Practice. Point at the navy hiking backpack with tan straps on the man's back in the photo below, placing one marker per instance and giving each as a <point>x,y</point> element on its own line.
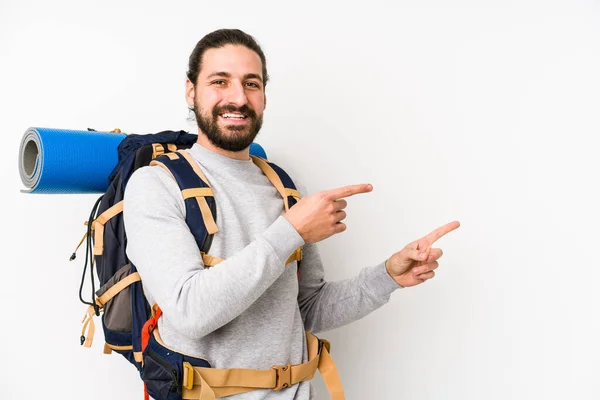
<point>128,320</point>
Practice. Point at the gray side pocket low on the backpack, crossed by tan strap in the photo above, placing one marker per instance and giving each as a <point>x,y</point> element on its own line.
<point>117,311</point>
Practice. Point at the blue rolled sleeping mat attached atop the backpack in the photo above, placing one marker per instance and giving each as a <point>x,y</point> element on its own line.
<point>58,161</point>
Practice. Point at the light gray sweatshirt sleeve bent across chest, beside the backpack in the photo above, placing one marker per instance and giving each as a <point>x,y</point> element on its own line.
<point>195,300</point>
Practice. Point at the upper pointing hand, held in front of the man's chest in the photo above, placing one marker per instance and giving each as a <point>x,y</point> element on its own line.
<point>319,215</point>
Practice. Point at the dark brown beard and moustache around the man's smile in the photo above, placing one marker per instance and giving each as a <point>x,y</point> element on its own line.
<point>230,137</point>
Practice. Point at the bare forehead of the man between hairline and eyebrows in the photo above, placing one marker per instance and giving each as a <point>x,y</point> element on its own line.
<point>234,59</point>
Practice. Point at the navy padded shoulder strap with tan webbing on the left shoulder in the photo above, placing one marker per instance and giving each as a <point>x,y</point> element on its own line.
<point>201,211</point>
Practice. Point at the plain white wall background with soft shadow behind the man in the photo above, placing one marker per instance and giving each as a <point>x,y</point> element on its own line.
<point>486,112</point>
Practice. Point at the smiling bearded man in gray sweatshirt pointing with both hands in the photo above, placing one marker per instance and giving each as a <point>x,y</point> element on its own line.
<point>251,310</point>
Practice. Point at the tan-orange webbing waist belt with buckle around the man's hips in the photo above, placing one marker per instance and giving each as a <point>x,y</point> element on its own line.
<point>208,383</point>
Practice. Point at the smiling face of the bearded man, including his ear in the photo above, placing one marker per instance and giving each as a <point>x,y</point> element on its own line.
<point>229,97</point>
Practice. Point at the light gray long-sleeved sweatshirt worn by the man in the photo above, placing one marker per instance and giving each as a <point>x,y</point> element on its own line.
<point>251,310</point>
